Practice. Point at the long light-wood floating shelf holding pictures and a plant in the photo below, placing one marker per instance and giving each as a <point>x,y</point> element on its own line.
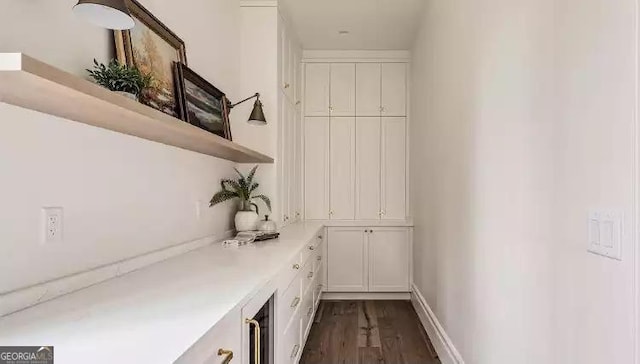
<point>29,83</point>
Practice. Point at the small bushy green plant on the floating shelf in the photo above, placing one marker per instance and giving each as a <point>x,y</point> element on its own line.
<point>125,80</point>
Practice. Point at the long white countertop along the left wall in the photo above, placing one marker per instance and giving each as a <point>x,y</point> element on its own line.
<point>155,314</point>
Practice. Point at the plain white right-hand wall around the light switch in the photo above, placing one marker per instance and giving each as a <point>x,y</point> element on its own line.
<point>528,121</point>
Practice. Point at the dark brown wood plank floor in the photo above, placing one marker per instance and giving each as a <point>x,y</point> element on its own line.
<point>368,332</point>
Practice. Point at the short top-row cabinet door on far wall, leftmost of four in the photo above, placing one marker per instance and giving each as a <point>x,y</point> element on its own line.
<point>316,91</point>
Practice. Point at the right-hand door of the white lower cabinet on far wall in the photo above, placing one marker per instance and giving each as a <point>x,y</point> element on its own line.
<point>389,255</point>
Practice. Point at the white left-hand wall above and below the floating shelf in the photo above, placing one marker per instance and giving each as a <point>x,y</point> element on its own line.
<point>122,196</point>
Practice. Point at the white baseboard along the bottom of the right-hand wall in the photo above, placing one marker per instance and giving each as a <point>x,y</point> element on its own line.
<point>441,342</point>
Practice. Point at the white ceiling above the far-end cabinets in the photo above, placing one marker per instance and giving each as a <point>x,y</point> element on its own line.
<point>372,24</point>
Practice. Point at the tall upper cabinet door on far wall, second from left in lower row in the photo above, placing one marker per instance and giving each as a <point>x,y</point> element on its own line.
<point>342,168</point>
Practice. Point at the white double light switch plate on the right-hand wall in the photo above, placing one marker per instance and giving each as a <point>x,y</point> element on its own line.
<point>605,233</point>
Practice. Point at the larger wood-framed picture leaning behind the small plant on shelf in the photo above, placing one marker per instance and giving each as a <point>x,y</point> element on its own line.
<point>152,48</point>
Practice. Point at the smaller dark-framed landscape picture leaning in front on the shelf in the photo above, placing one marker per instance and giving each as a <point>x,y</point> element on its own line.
<point>200,103</point>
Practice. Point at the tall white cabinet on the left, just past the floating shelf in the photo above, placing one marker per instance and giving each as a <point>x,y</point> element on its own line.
<point>277,75</point>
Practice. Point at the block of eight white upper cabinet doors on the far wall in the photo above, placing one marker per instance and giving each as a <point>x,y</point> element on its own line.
<point>355,141</point>
